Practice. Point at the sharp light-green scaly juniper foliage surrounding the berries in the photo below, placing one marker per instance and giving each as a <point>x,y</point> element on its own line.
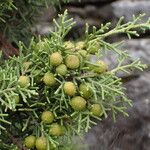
<point>24,118</point>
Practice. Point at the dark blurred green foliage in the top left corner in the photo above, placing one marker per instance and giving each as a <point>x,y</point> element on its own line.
<point>18,16</point>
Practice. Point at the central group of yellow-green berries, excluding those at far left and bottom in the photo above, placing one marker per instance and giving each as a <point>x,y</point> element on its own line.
<point>72,61</point>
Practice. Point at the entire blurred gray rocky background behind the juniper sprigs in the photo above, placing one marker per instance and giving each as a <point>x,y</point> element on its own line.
<point>132,133</point>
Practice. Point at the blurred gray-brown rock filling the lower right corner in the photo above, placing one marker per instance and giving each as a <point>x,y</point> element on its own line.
<point>132,133</point>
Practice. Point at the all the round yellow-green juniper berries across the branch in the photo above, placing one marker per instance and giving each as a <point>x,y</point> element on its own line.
<point>68,65</point>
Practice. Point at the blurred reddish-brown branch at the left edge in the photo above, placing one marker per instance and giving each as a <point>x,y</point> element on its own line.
<point>7,48</point>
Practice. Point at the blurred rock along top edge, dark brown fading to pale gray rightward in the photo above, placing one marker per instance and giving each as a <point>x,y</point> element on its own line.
<point>95,14</point>
